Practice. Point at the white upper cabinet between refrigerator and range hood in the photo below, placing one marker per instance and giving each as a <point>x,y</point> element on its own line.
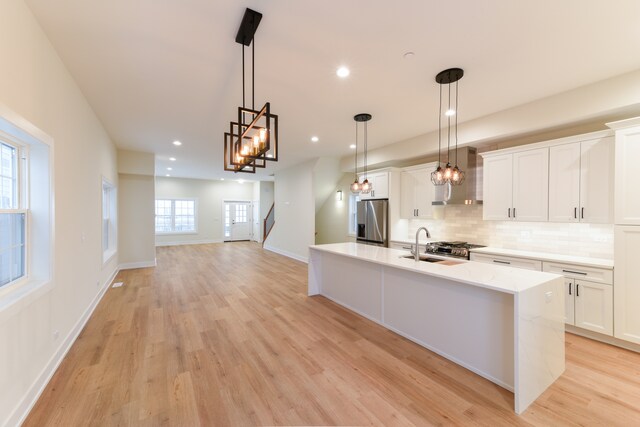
<point>417,192</point>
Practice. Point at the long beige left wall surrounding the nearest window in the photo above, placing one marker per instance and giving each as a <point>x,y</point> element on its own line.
<point>38,327</point>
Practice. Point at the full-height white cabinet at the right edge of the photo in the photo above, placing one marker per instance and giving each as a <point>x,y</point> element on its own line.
<point>627,230</point>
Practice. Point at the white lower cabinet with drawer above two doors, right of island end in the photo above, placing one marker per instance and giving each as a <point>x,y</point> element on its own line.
<point>588,304</point>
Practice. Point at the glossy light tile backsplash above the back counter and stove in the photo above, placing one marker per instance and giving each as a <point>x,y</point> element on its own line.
<point>465,223</point>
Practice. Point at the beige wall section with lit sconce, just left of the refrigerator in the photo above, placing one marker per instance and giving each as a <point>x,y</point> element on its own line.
<point>332,219</point>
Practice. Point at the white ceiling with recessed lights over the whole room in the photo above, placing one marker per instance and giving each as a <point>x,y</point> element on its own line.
<point>159,70</point>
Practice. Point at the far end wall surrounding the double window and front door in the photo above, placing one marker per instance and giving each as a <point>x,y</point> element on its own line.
<point>209,197</point>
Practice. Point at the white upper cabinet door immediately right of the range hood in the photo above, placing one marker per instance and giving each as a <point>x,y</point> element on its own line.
<point>498,187</point>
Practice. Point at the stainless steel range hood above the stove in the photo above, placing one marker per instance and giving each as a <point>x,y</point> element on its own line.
<point>466,193</point>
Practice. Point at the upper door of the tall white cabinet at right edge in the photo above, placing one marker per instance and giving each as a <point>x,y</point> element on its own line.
<point>627,188</point>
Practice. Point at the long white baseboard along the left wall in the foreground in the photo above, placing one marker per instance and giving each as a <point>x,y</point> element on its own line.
<point>29,400</point>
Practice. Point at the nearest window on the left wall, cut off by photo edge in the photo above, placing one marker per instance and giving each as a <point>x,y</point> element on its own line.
<point>13,215</point>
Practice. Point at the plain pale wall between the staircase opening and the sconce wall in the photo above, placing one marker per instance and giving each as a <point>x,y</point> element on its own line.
<point>294,227</point>
